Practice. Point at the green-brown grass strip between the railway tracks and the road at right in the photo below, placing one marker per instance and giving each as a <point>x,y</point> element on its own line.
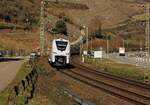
<point>124,70</point>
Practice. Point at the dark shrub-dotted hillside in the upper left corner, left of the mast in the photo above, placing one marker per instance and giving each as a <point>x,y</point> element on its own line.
<point>17,11</point>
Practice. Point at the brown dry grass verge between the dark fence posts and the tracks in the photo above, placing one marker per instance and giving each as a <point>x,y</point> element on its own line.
<point>48,90</point>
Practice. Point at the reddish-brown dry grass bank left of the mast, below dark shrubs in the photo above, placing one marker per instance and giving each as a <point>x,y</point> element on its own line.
<point>19,40</point>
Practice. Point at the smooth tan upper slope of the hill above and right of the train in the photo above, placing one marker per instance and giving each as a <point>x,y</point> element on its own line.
<point>111,12</point>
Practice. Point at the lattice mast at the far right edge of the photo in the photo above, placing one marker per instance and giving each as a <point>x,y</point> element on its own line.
<point>147,38</point>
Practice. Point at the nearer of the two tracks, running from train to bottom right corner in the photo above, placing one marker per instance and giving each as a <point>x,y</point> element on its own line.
<point>105,87</point>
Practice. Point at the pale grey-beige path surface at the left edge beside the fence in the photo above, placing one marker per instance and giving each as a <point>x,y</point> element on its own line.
<point>8,71</point>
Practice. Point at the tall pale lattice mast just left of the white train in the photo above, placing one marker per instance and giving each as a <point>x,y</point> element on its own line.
<point>42,34</point>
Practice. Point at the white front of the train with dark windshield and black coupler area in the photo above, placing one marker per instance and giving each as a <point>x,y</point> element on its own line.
<point>60,54</point>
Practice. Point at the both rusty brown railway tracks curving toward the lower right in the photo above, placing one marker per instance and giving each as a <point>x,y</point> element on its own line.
<point>129,90</point>
